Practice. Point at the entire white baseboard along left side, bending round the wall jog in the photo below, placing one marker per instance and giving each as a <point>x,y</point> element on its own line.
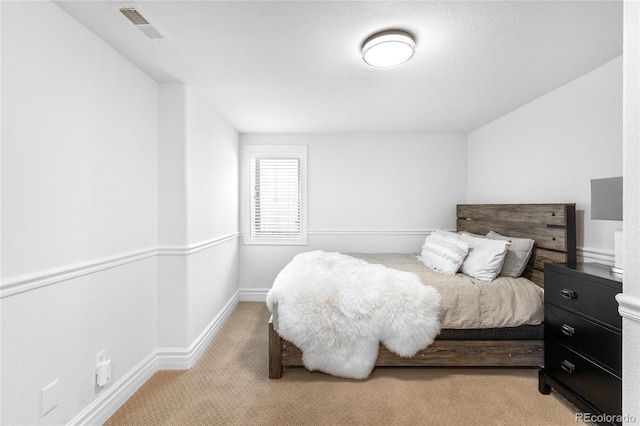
<point>114,396</point>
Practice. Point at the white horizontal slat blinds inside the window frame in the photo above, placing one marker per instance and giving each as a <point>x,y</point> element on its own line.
<point>275,198</point>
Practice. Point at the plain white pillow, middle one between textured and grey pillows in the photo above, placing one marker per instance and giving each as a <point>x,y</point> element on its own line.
<point>485,258</point>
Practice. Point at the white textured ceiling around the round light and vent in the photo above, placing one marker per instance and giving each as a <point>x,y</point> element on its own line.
<point>295,66</point>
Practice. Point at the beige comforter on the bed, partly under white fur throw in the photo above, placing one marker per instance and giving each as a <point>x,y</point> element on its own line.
<point>470,303</point>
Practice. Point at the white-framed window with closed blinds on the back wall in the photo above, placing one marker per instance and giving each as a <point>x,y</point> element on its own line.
<point>274,194</point>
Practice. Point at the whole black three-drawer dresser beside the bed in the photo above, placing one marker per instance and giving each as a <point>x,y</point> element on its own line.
<point>583,338</point>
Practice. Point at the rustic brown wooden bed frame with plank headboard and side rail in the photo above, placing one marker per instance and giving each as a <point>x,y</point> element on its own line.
<point>552,226</point>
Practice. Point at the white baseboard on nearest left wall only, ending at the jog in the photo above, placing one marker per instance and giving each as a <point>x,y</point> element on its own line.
<point>117,394</point>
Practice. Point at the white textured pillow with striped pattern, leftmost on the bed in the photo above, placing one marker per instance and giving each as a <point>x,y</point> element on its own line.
<point>443,253</point>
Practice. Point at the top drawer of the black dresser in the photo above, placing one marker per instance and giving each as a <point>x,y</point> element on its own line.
<point>589,298</point>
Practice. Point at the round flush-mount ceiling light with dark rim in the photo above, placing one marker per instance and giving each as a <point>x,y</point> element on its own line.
<point>388,49</point>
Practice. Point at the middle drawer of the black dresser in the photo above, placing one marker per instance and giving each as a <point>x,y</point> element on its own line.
<point>586,336</point>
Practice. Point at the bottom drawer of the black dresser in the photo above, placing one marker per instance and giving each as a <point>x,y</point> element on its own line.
<point>591,382</point>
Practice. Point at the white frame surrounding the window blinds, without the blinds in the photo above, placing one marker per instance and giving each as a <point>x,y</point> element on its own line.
<point>250,152</point>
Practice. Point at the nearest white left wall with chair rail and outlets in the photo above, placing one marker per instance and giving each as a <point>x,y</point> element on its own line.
<point>79,212</point>
